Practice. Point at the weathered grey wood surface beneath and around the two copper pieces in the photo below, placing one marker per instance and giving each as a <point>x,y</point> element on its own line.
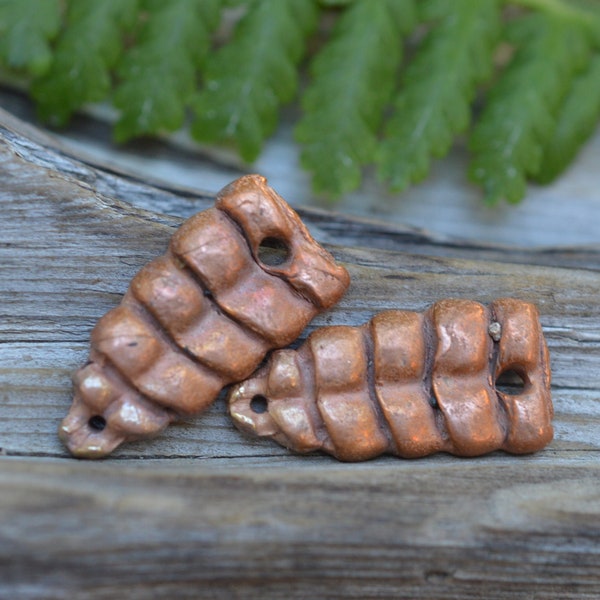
<point>203,512</point>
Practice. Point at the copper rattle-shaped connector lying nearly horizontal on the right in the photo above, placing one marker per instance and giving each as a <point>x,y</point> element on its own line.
<point>408,384</point>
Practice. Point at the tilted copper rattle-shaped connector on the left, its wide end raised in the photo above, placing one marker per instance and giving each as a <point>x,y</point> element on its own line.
<point>199,317</point>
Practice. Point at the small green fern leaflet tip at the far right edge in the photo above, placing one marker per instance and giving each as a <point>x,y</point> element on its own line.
<point>576,121</point>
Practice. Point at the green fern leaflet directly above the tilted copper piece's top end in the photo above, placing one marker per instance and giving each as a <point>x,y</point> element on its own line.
<point>248,79</point>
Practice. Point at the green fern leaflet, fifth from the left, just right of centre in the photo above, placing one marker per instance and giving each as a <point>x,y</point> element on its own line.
<point>353,77</point>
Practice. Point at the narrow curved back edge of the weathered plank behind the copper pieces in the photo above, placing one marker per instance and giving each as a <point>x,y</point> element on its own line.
<point>328,227</point>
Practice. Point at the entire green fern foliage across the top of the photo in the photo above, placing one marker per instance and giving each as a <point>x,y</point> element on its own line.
<point>387,83</point>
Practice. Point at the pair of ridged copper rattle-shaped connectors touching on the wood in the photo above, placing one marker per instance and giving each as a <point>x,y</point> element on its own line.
<point>205,314</point>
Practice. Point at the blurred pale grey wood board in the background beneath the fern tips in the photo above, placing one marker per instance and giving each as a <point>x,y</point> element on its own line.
<point>564,213</point>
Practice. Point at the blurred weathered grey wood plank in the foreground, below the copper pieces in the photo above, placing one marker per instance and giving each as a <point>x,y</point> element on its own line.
<point>447,530</point>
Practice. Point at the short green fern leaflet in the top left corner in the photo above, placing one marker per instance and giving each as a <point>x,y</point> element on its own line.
<point>26,28</point>
